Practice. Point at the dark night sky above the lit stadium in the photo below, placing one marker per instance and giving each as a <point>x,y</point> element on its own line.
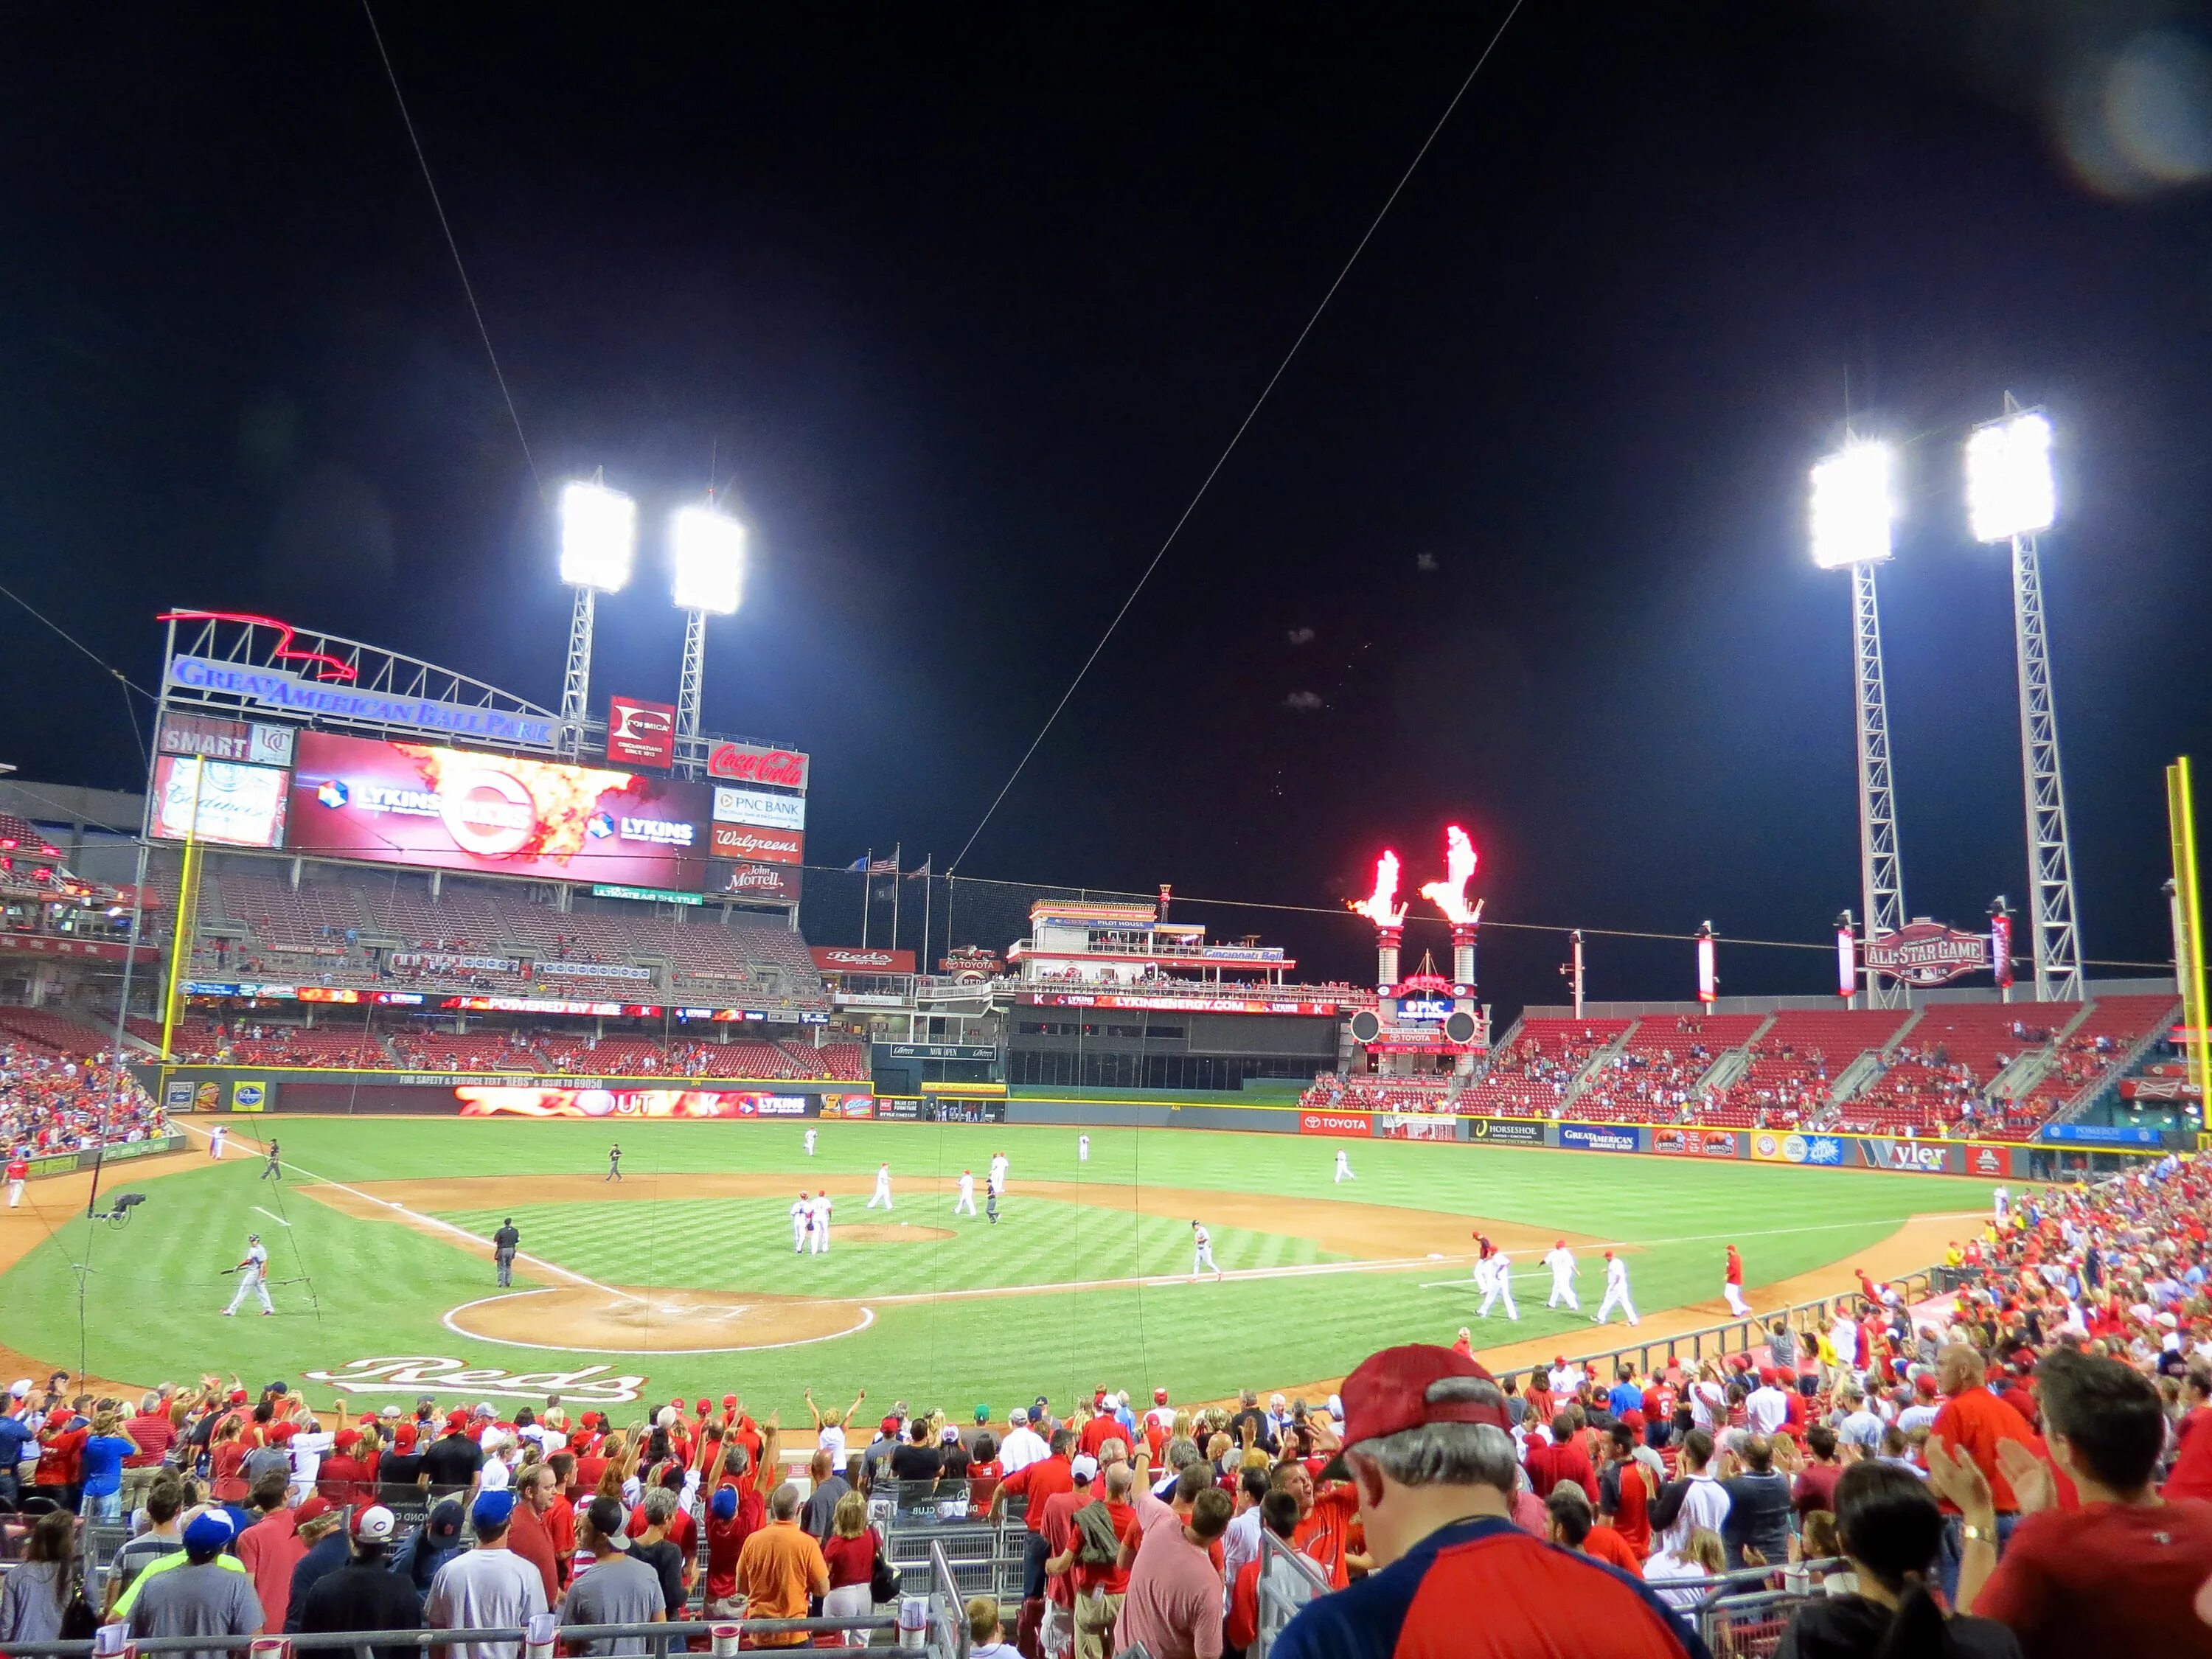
<point>970,300</point>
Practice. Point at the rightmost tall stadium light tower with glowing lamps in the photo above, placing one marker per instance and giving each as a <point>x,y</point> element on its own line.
<point>2010,499</point>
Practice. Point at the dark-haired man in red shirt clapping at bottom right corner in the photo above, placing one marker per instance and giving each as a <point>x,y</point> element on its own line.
<point>2116,1576</point>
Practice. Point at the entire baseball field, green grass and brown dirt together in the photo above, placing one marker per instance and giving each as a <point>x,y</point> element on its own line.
<point>682,1277</point>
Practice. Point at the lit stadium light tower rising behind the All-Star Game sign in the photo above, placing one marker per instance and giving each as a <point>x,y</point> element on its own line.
<point>1853,510</point>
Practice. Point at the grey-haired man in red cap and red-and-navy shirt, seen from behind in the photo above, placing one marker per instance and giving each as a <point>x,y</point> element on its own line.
<point>1432,1457</point>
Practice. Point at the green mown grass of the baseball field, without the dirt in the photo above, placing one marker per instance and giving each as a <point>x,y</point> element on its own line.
<point>377,1288</point>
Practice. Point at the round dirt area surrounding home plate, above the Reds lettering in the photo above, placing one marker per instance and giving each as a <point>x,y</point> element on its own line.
<point>634,1319</point>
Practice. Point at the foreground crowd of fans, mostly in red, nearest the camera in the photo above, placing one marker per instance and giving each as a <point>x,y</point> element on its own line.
<point>2021,1470</point>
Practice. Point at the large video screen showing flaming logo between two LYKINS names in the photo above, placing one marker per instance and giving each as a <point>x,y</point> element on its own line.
<point>497,815</point>
